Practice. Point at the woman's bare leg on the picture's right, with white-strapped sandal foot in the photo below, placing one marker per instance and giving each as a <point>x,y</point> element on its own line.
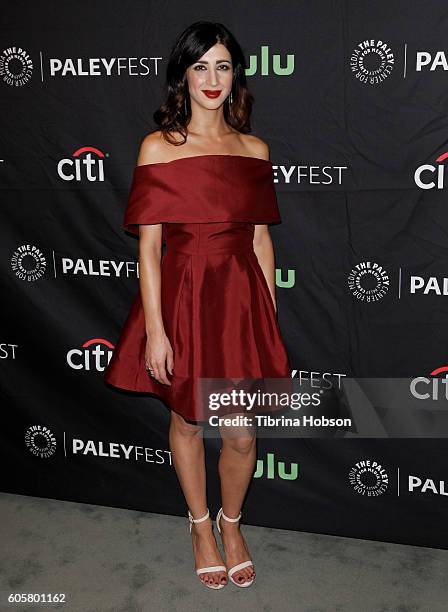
<point>236,466</point>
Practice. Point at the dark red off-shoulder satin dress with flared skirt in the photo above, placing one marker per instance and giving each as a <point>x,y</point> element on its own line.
<point>217,310</point>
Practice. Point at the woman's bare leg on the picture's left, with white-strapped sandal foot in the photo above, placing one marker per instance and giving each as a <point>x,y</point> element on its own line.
<point>187,450</point>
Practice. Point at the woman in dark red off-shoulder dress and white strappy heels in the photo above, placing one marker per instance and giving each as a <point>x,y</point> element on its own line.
<point>204,186</point>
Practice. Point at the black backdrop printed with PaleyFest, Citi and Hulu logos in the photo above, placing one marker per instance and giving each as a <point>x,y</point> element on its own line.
<point>352,99</point>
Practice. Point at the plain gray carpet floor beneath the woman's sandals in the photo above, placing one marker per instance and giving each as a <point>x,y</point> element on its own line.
<point>113,560</point>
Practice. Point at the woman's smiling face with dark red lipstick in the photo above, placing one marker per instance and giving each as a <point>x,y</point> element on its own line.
<point>213,72</point>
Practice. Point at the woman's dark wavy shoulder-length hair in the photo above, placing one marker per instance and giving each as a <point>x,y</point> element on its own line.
<point>191,45</point>
